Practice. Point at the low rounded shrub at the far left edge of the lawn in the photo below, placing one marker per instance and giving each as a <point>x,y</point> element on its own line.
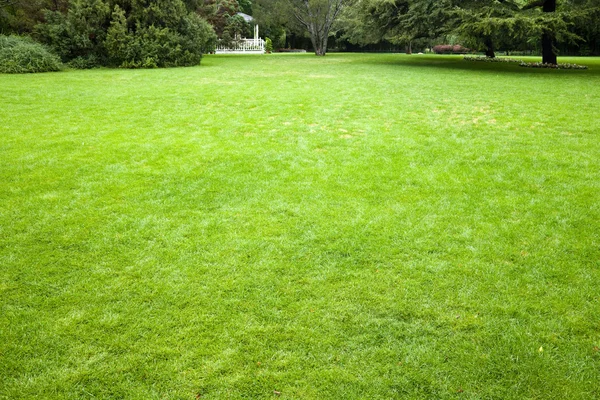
<point>19,55</point>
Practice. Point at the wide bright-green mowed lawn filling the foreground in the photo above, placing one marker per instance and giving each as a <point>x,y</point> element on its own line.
<point>294,227</point>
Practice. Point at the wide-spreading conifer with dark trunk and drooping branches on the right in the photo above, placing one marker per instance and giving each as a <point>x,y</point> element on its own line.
<point>482,23</point>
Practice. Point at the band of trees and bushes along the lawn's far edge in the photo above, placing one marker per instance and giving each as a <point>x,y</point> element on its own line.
<point>157,33</point>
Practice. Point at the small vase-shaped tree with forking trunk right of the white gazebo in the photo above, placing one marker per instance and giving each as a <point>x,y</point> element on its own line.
<point>317,17</point>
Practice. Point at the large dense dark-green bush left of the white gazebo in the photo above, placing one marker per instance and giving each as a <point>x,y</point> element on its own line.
<point>136,34</point>
